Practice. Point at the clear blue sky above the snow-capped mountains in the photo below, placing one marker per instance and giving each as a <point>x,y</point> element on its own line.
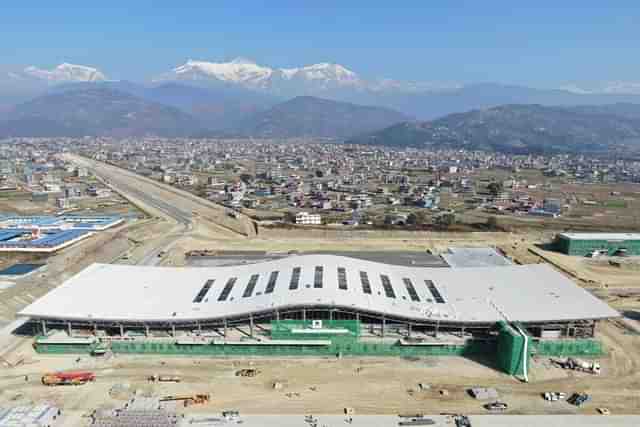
<point>546,45</point>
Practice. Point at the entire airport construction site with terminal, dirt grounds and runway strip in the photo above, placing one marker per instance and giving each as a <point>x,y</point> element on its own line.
<point>137,326</point>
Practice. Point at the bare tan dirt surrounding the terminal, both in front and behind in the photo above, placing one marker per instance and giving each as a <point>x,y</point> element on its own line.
<point>320,385</point>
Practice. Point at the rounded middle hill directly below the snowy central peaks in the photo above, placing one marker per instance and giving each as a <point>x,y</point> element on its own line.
<point>317,117</point>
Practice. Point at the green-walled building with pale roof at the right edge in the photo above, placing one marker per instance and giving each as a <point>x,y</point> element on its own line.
<point>588,244</point>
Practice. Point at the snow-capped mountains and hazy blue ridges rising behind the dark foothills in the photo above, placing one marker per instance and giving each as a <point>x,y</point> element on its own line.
<point>245,85</point>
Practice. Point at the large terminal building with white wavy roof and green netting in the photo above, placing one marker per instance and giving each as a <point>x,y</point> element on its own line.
<point>318,305</point>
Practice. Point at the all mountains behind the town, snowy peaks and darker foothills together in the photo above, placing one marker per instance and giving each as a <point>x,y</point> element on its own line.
<point>328,100</point>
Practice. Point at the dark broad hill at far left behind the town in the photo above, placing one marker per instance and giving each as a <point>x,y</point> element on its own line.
<point>95,111</point>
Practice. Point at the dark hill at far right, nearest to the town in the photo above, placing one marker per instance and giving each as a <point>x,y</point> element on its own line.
<point>519,129</point>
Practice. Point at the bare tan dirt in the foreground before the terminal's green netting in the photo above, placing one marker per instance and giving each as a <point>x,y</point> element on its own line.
<point>313,385</point>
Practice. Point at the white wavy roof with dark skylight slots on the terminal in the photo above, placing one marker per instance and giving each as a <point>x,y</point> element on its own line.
<point>527,293</point>
